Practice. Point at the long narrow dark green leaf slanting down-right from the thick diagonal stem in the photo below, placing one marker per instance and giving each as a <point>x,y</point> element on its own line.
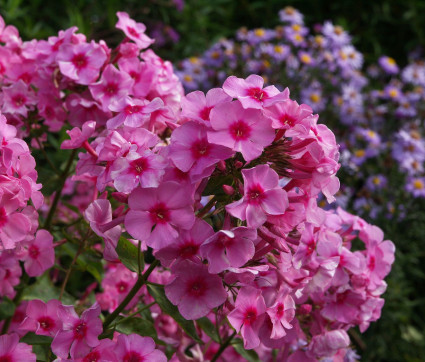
<point>167,307</point>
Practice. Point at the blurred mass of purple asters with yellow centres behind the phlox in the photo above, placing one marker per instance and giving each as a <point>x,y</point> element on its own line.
<point>376,112</point>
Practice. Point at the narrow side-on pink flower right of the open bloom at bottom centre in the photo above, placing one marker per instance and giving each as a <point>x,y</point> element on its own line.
<point>281,313</point>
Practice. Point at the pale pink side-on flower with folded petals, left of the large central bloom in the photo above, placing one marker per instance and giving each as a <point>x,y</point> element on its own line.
<point>99,213</point>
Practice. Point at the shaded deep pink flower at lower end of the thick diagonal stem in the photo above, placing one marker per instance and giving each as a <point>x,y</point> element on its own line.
<point>78,334</point>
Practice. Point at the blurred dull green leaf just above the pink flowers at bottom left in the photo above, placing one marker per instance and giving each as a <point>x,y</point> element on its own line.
<point>44,290</point>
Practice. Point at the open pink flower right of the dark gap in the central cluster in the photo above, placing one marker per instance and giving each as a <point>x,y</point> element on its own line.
<point>262,196</point>
